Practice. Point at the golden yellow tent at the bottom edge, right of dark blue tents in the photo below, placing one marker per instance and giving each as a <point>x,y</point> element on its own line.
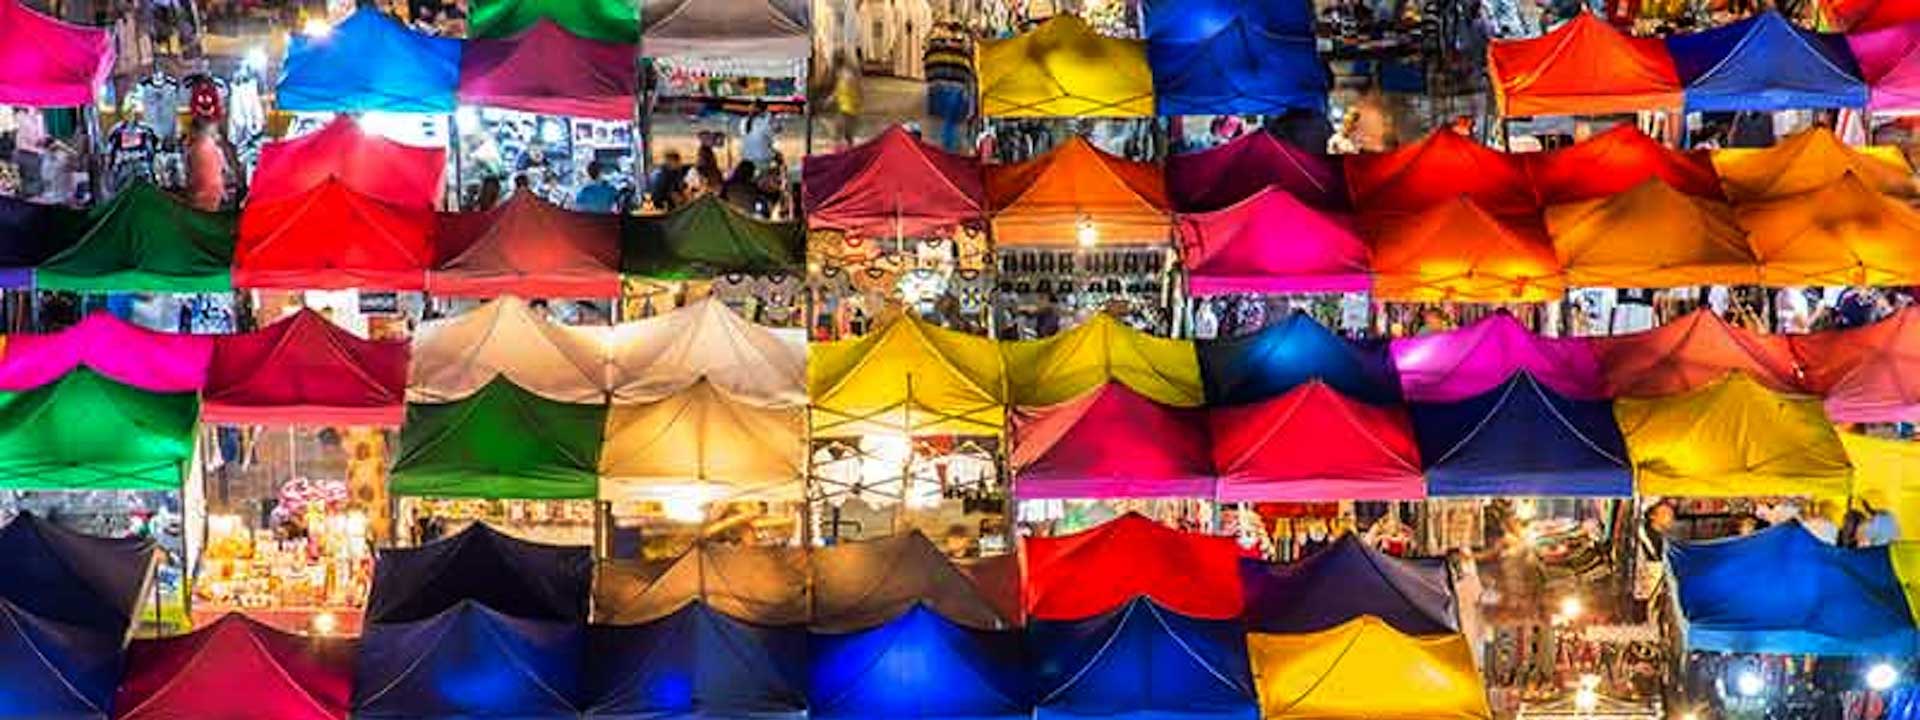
<point>1366,671</point>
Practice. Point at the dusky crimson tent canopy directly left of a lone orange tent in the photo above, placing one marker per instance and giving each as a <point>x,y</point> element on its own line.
<point>892,187</point>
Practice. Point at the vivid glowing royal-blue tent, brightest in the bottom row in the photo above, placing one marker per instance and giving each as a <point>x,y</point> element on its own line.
<point>919,667</point>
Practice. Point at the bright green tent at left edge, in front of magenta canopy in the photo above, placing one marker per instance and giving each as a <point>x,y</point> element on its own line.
<point>91,433</point>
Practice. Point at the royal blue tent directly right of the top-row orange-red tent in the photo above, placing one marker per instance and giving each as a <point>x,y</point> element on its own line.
<point>1767,64</point>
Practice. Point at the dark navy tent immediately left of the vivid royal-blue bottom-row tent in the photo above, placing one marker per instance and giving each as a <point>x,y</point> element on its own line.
<point>698,665</point>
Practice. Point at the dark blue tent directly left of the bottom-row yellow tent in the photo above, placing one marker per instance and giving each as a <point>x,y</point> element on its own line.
<point>1141,661</point>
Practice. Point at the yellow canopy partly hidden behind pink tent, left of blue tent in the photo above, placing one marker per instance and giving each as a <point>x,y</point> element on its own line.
<point>1076,362</point>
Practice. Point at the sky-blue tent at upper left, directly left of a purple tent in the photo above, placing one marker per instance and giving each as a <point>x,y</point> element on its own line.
<point>370,62</point>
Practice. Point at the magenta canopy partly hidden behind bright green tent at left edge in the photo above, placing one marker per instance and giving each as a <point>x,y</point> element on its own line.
<point>120,350</point>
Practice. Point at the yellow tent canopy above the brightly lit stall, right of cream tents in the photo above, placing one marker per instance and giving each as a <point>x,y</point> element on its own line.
<point>907,377</point>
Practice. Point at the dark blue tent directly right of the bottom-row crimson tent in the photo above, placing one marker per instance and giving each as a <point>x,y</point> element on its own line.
<point>469,661</point>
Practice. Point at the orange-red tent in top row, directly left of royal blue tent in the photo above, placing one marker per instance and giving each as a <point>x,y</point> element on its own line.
<point>1583,68</point>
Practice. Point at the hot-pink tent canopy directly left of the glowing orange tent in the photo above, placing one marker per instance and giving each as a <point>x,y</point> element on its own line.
<point>1243,249</point>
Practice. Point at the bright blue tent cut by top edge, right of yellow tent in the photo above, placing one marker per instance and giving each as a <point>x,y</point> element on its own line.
<point>1234,57</point>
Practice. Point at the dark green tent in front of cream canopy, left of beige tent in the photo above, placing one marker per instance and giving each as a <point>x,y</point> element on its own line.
<point>500,443</point>
